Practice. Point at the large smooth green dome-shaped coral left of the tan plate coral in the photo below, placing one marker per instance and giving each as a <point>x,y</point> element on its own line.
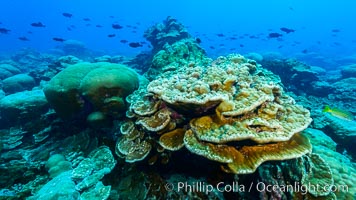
<point>90,87</point>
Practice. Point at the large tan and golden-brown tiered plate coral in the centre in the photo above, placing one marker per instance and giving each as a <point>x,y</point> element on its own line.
<point>210,108</point>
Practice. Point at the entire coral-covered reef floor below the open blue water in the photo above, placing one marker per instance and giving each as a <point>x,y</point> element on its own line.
<point>174,124</point>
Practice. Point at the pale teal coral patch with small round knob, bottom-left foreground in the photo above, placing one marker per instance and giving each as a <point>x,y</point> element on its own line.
<point>83,180</point>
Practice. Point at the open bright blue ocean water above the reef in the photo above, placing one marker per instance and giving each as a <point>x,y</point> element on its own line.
<point>322,28</point>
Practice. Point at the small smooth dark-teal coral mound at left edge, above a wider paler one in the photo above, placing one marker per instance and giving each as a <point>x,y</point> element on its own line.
<point>18,83</point>
